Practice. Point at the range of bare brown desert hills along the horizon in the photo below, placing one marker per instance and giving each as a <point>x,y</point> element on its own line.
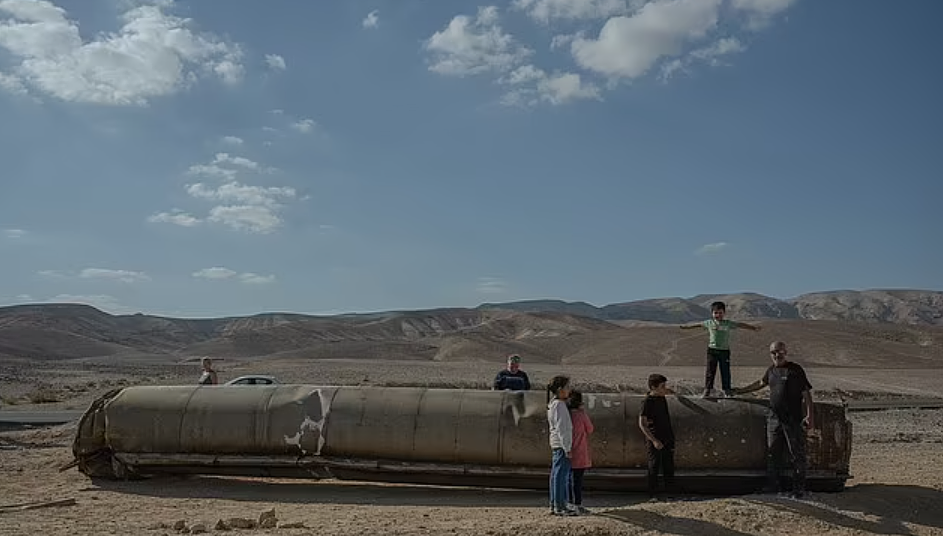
<point>888,328</point>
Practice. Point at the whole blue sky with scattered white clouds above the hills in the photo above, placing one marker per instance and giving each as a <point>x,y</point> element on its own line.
<point>199,159</point>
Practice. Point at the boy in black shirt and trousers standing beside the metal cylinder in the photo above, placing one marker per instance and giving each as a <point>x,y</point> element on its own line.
<point>655,422</point>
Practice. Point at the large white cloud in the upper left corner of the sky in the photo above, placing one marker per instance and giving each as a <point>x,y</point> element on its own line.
<point>153,54</point>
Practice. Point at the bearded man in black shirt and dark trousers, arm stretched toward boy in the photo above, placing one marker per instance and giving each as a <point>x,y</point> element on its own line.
<point>788,389</point>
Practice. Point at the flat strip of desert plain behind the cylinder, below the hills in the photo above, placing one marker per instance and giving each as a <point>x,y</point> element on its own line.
<point>72,385</point>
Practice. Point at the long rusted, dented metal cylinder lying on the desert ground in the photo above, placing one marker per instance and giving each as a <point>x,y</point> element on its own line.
<point>441,436</point>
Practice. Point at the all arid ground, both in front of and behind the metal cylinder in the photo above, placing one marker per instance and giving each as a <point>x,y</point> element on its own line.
<point>897,466</point>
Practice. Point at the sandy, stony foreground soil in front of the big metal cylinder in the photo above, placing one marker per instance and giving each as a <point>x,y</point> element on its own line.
<point>897,489</point>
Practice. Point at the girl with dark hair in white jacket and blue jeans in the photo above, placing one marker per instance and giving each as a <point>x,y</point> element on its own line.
<point>561,442</point>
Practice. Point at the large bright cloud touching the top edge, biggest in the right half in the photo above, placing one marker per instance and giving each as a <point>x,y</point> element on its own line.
<point>628,46</point>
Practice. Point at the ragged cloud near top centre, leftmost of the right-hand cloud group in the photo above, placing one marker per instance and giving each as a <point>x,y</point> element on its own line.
<point>471,46</point>
